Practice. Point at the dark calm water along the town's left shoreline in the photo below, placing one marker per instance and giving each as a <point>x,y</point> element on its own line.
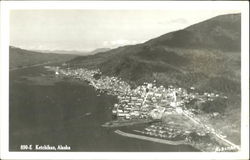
<point>45,110</point>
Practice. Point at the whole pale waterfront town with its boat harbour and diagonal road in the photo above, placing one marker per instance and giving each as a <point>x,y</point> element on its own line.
<point>151,102</point>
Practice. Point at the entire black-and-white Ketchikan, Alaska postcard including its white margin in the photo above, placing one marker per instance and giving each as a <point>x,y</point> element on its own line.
<point>126,79</point>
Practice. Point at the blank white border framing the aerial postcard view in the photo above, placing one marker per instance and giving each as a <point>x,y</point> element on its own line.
<point>6,6</point>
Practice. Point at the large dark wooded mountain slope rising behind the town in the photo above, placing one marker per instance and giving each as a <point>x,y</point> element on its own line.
<point>205,55</point>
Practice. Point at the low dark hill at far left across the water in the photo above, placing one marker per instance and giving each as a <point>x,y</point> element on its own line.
<point>20,57</point>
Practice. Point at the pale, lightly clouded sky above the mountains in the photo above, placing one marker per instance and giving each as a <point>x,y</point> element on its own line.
<point>86,30</point>
